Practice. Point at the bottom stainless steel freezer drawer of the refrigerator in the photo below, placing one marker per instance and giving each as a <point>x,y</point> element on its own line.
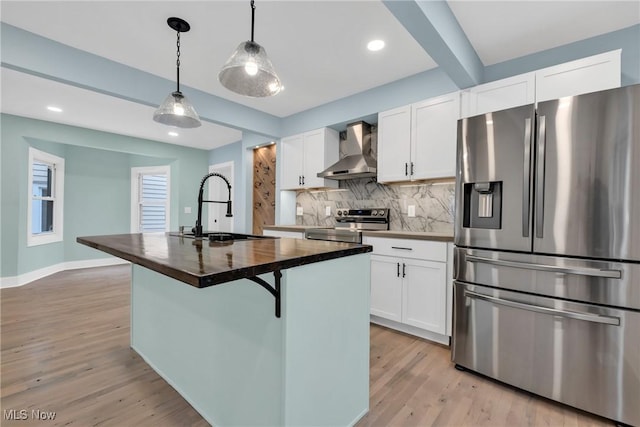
<point>580,354</point>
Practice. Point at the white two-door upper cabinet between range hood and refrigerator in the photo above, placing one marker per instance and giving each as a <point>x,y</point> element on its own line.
<point>418,141</point>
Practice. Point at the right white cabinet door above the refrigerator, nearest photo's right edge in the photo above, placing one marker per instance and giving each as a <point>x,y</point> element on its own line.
<point>591,74</point>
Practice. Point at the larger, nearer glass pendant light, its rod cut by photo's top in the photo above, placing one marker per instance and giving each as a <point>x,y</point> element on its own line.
<point>248,71</point>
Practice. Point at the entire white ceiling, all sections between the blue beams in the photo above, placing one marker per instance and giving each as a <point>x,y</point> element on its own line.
<point>317,47</point>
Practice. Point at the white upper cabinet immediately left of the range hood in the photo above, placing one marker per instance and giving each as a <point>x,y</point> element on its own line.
<point>307,154</point>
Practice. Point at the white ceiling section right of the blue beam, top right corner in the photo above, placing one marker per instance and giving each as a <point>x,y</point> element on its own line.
<point>503,30</point>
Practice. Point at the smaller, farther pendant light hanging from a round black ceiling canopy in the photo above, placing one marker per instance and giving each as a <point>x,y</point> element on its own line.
<point>176,110</point>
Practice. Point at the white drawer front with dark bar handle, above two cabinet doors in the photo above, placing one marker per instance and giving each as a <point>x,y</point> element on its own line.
<point>408,248</point>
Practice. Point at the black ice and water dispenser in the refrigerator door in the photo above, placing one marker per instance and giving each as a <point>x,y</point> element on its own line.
<point>482,205</point>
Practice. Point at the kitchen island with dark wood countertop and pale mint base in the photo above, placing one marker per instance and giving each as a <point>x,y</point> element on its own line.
<point>204,315</point>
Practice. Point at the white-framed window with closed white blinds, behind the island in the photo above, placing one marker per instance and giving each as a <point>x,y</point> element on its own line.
<point>150,199</point>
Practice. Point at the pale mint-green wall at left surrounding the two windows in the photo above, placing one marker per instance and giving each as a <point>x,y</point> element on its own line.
<point>97,187</point>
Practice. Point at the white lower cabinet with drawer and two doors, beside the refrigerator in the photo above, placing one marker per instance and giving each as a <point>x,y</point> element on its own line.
<point>410,292</point>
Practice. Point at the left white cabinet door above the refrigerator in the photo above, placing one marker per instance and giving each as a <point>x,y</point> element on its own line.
<point>499,95</point>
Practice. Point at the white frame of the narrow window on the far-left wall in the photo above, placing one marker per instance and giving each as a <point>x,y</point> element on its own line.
<point>57,188</point>
